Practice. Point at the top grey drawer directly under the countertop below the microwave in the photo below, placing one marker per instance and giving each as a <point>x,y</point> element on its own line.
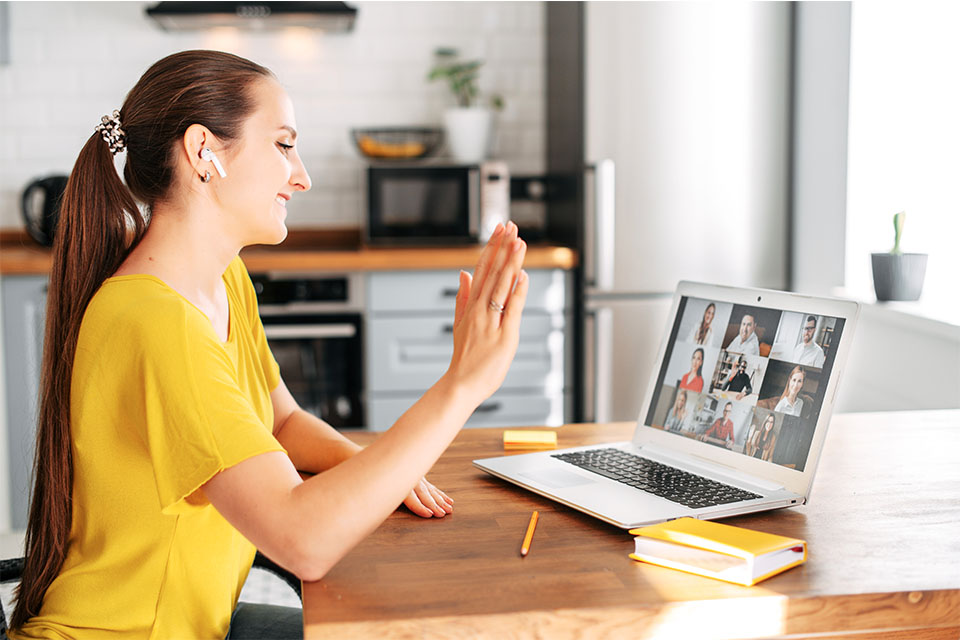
<point>431,291</point>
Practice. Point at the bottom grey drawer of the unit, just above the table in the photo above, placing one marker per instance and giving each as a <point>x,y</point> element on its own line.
<point>502,409</point>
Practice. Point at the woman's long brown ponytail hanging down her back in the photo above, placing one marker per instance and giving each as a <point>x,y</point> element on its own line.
<point>91,241</point>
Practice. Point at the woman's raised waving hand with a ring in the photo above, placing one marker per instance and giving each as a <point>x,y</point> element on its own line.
<point>486,326</point>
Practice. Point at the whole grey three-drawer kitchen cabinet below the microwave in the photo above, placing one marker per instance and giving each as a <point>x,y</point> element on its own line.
<point>409,341</point>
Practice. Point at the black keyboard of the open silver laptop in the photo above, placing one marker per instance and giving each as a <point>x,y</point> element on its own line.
<point>662,480</point>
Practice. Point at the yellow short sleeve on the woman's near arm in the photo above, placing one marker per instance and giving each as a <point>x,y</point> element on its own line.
<point>198,419</point>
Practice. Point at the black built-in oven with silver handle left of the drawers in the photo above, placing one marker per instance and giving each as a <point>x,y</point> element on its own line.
<point>314,328</point>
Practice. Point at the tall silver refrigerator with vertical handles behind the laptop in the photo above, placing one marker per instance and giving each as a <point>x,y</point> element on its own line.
<point>684,118</point>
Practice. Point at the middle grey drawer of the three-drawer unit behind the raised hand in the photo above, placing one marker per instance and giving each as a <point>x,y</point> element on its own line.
<point>407,354</point>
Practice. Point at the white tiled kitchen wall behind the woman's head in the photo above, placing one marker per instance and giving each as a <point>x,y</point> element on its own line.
<point>71,62</point>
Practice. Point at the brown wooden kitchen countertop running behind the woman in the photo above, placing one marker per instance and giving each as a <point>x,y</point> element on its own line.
<point>307,250</point>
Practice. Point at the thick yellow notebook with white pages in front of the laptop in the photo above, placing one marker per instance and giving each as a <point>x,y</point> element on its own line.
<point>715,550</point>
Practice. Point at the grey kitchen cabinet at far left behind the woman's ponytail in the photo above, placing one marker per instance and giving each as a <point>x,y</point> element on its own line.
<point>24,304</point>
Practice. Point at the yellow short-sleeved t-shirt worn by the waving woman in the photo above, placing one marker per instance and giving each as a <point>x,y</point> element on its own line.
<point>159,405</point>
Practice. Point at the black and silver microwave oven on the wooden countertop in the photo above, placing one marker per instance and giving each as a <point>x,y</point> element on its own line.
<point>436,203</point>
